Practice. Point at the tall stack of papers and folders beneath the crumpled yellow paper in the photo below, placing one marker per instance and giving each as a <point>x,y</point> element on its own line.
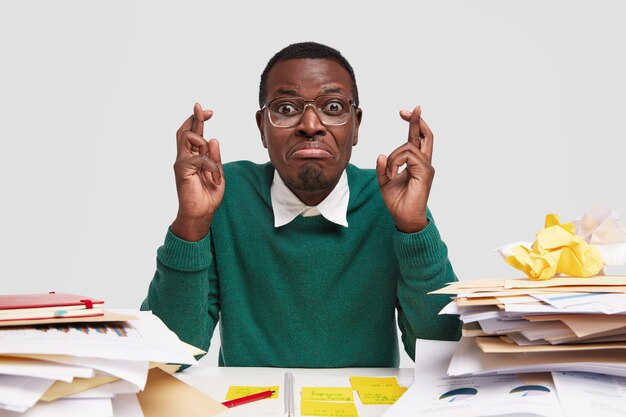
<point>519,325</point>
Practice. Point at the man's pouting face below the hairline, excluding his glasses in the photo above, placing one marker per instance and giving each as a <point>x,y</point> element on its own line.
<point>309,156</point>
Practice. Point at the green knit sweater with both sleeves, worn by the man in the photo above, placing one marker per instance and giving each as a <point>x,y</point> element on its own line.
<point>307,294</point>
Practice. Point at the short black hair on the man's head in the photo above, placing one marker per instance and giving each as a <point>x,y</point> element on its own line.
<point>306,50</point>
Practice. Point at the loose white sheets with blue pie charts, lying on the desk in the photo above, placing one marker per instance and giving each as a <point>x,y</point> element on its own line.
<point>556,394</point>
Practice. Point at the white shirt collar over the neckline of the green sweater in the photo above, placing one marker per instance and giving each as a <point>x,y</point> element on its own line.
<point>287,206</point>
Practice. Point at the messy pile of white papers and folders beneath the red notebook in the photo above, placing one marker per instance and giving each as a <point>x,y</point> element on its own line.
<point>96,366</point>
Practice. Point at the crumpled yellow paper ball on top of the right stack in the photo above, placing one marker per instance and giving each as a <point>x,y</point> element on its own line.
<point>557,250</point>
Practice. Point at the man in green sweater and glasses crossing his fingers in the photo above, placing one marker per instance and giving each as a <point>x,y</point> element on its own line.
<point>306,259</point>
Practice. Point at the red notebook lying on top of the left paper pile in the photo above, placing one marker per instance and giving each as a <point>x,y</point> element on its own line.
<point>50,305</point>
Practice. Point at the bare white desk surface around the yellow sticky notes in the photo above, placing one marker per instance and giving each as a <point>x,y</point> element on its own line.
<point>215,382</point>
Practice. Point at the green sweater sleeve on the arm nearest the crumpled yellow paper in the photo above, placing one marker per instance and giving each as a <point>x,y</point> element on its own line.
<point>424,267</point>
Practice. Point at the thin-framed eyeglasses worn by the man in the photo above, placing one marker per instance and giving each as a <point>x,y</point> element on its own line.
<point>331,109</point>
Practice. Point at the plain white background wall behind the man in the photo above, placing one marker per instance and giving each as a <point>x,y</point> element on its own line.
<point>526,100</point>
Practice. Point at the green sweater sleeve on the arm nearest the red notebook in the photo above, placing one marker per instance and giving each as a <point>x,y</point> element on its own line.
<point>184,291</point>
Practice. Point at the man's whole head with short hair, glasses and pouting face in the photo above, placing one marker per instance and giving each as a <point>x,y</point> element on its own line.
<point>309,147</point>
